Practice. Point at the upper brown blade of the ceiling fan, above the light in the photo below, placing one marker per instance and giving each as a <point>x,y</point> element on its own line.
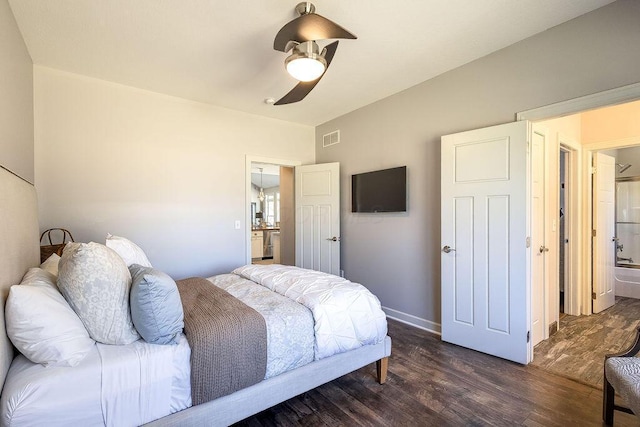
<point>309,27</point>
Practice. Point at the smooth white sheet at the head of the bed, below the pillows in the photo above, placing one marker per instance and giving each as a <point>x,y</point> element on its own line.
<point>122,380</point>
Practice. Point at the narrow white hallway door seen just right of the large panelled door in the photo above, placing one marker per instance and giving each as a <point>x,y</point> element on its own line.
<point>539,252</point>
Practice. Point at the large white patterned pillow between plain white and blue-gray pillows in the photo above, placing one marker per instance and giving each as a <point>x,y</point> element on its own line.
<point>96,283</point>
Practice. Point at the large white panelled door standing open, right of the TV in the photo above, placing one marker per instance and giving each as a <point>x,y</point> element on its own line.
<point>485,224</point>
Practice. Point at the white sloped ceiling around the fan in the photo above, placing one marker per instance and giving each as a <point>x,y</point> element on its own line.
<point>220,52</point>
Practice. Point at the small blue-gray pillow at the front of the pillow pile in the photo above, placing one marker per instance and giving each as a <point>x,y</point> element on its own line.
<point>156,307</point>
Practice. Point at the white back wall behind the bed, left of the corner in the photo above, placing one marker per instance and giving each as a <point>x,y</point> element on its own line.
<point>166,172</point>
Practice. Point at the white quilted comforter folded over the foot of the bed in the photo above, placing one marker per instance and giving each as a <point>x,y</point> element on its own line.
<point>346,314</point>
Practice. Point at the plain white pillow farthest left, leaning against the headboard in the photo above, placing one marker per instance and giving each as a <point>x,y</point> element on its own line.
<point>41,324</point>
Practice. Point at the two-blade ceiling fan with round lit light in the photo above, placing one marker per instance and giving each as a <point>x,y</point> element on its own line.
<point>306,62</point>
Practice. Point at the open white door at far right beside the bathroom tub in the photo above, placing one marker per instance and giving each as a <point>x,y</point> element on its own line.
<point>604,243</point>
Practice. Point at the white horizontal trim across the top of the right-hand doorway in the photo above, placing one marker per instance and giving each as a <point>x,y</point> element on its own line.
<point>615,96</point>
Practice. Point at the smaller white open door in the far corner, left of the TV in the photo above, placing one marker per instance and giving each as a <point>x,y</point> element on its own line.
<point>318,217</point>
